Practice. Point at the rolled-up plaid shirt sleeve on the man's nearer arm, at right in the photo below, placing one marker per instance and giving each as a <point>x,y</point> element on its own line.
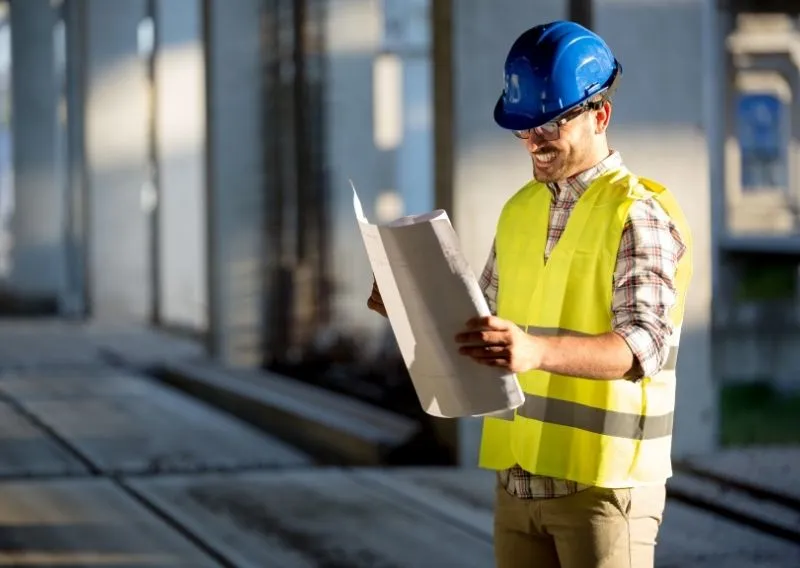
<point>644,284</point>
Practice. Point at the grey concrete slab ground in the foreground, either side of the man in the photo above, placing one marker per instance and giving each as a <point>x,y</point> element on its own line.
<point>100,466</point>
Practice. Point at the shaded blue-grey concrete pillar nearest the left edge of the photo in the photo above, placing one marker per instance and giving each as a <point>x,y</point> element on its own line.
<point>38,226</point>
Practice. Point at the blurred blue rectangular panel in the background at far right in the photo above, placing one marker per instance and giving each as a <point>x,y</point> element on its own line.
<point>760,129</point>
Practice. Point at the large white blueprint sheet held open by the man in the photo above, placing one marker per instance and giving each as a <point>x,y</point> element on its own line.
<point>430,292</point>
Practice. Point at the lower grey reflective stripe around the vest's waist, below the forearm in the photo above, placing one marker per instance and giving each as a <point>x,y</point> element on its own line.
<point>595,420</point>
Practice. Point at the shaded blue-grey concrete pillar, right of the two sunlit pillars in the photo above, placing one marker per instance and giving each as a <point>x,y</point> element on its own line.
<point>237,251</point>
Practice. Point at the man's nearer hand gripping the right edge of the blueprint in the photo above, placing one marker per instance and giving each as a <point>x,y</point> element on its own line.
<point>497,342</point>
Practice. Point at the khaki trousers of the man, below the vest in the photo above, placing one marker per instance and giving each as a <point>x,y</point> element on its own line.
<point>595,528</point>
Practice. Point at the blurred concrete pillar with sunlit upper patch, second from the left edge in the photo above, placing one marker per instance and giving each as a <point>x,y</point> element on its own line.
<point>116,139</point>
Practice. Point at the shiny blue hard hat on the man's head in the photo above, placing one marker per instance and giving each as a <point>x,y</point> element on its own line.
<point>551,69</point>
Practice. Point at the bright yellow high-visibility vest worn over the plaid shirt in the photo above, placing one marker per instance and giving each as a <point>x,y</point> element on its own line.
<point>607,433</point>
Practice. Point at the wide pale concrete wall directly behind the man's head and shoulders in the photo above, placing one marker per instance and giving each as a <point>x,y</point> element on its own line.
<point>659,125</point>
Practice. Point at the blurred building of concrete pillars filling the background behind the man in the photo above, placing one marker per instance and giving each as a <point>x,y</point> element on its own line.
<point>184,164</point>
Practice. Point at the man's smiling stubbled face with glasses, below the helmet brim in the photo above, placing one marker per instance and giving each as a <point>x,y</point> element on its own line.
<point>574,151</point>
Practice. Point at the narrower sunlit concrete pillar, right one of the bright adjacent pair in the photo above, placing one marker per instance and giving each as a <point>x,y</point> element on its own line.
<point>180,148</point>
